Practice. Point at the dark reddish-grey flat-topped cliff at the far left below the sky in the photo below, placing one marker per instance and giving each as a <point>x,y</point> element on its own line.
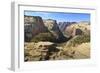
<point>33,25</point>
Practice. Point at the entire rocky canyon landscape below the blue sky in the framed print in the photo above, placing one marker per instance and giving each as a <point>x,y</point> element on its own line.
<point>47,39</point>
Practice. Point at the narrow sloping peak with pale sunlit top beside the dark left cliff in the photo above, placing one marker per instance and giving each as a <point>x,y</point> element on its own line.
<point>53,27</point>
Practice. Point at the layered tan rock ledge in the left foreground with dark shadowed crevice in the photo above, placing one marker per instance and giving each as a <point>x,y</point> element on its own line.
<point>40,51</point>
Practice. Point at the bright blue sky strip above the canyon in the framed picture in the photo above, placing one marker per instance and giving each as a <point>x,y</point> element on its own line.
<point>60,16</point>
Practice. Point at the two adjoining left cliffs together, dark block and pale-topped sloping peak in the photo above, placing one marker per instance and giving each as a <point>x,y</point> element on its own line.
<point>33,25</point>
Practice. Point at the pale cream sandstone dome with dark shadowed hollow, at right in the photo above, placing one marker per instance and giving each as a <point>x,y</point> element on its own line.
<point>77,29</point>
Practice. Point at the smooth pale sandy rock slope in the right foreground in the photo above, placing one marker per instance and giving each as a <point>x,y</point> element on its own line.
<point>81,51</point>
